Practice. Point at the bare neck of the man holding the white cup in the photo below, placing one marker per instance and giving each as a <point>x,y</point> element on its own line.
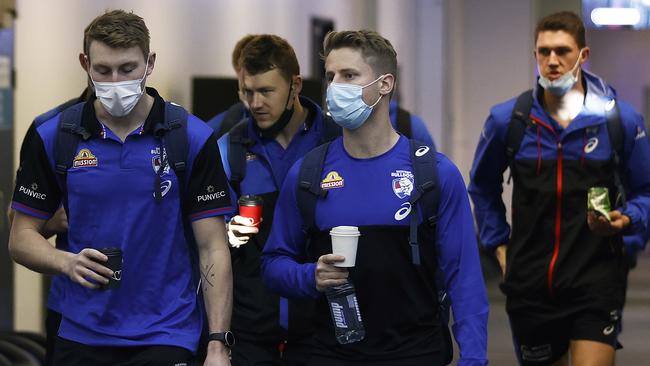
<point>375,137</point>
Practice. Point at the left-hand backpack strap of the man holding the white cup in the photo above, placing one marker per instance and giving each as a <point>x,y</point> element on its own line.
<point>309,189</point>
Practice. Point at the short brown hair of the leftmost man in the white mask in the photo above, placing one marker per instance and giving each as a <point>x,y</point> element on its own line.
<point>118,29</point>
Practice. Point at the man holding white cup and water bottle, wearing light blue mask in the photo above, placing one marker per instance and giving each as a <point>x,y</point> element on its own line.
<point>359,180</point>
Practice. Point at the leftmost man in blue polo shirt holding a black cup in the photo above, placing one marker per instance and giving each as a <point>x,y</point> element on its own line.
<point>123,193</point>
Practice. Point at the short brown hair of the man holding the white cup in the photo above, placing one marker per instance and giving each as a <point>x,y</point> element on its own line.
<point>376,50</point>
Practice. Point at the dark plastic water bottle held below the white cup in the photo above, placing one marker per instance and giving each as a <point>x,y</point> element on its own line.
<point>348,326</point>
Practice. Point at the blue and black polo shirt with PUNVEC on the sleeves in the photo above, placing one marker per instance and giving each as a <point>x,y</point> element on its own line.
<point>110,203</point>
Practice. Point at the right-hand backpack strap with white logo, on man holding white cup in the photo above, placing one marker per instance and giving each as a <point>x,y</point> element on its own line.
<point>426,192</point>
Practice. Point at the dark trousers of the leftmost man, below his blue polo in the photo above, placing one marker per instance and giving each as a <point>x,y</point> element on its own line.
<point>68,353</point>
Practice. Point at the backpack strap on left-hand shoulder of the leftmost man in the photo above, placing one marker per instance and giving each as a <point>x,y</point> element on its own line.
<point>68,135</point>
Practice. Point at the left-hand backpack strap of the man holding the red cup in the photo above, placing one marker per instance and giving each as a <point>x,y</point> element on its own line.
<point>238,143</point>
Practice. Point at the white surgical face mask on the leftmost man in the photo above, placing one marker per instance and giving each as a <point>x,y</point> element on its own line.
<point>119,98</point>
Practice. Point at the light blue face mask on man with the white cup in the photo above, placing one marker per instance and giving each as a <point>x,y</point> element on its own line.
<point>346,106</point>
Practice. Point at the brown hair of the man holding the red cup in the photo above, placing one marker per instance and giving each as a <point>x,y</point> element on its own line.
<point>266,52</point>
